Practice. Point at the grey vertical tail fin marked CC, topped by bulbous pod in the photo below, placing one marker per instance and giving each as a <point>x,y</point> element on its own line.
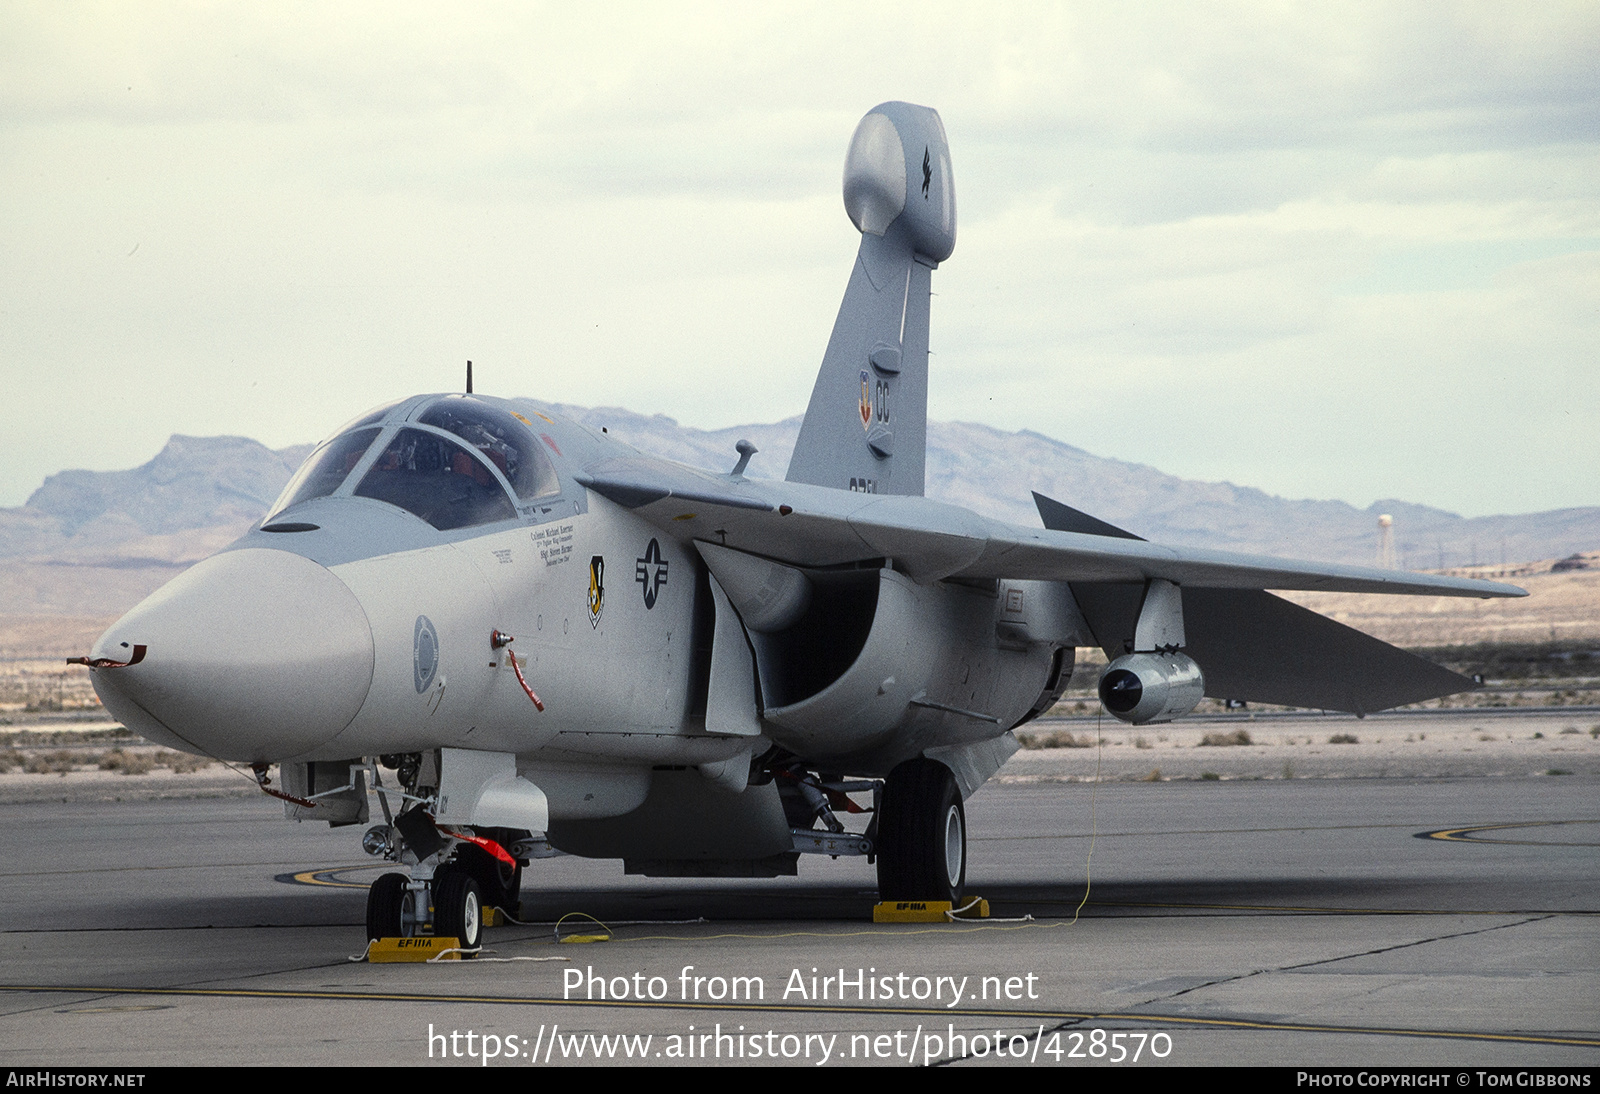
<point>868,423</point>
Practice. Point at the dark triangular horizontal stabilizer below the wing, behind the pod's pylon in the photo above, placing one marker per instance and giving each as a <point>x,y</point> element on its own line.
<point>1262,649</point>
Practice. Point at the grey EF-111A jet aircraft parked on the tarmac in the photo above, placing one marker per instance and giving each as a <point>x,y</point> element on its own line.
<point>561,644</point>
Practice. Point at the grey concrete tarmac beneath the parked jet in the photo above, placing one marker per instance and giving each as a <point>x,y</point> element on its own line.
<point>1340,922</point>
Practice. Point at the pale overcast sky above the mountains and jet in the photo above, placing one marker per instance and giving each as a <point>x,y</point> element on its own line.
<point>1326,250</point>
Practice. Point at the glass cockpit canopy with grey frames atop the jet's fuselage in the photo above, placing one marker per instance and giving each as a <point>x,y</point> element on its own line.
<point>455,461</point>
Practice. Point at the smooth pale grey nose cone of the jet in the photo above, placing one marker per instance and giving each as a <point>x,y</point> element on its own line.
<point>254,655</point>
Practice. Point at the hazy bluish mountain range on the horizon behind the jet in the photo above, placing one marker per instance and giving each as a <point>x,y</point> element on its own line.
<point>202,492</point>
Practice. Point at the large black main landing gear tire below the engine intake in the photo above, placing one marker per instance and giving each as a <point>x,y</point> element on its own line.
<point>922,834</point>
